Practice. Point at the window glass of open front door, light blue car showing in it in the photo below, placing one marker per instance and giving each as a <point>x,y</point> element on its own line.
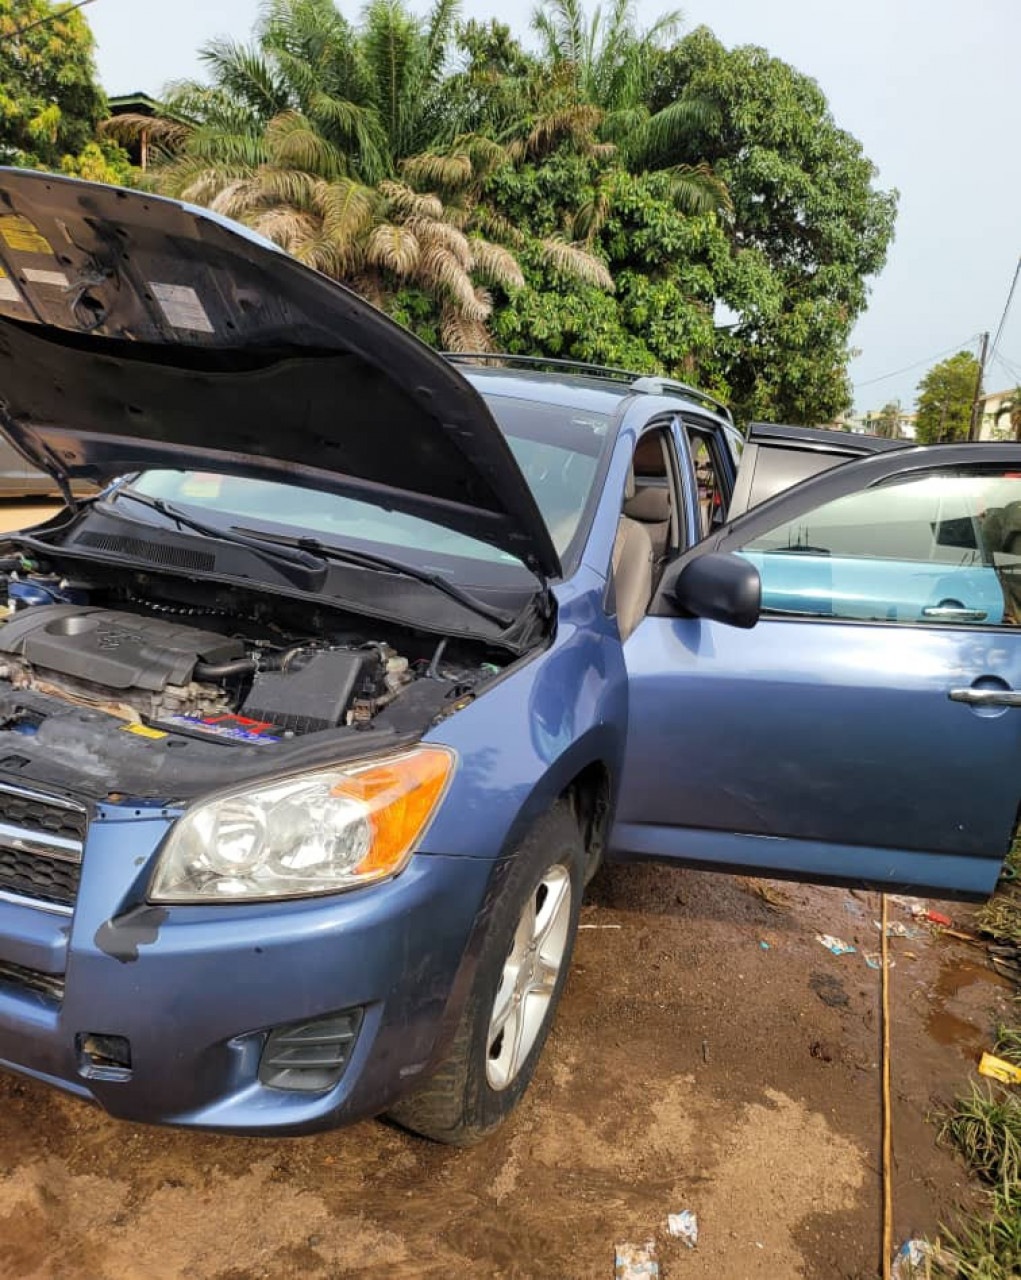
<point>937,548</point>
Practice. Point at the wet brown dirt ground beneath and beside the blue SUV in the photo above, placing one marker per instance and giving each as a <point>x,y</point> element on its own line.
<point>690,1068</point>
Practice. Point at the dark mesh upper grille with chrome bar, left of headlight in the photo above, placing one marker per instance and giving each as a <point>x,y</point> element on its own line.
<point>42,842</point>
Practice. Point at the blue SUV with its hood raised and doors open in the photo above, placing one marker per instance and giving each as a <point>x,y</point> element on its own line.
<point>315,724</point>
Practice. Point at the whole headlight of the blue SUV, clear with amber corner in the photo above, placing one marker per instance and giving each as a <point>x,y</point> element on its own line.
<point>313,834</point>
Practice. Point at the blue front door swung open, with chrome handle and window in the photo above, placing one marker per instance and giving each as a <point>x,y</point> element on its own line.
<point>868,729</point>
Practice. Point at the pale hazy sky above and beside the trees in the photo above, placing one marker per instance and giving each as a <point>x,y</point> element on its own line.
<point>930,88</point>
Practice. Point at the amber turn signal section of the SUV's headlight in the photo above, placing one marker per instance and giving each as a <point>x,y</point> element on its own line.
<point>399,798</point>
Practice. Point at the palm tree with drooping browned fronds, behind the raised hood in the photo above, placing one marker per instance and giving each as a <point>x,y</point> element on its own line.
<point>337,143</point>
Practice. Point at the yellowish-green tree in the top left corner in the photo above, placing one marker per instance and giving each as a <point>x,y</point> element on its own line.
<point>51,102</point>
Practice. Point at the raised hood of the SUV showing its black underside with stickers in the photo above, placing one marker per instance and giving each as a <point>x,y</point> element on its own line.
<point>141,333</point>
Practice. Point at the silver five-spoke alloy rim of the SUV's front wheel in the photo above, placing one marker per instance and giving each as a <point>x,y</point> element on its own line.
<point>529,977</point>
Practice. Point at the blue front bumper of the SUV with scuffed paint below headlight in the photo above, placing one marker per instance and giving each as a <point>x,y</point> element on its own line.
<point>196,991</point>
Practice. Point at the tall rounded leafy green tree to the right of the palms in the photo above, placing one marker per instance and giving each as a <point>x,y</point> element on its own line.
<point>809,226</point>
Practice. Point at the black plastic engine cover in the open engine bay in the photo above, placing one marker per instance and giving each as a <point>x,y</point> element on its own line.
<point>113,650</point>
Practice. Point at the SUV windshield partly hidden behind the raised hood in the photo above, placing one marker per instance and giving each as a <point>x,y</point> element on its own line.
<point>558,449</point>
